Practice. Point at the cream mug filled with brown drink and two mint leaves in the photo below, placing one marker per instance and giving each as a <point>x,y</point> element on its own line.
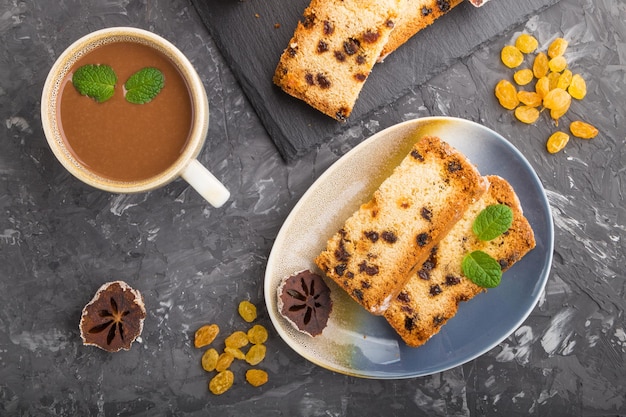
<point>124,111</point>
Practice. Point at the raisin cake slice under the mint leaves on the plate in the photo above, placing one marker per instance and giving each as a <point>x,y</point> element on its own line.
<point>433,293</point>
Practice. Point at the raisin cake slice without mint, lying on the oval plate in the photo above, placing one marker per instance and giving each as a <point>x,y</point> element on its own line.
<point>378,248</point>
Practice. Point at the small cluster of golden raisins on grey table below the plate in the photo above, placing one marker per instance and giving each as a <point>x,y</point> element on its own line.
<point>212,360</point>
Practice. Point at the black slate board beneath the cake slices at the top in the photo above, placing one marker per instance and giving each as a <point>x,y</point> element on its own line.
<point>251,34</point>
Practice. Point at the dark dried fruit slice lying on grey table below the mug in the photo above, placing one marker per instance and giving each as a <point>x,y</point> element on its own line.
<point>114,317</point>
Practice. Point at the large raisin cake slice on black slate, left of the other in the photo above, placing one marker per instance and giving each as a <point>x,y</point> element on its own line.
<point>333,50</point>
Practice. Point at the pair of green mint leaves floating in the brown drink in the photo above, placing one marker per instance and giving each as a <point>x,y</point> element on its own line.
<point>98,82</point>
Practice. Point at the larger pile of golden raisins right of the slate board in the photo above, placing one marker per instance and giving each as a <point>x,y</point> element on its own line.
<point>554,88</point>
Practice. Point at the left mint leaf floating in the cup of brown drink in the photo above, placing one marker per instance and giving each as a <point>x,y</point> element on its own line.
<point>95,81</point>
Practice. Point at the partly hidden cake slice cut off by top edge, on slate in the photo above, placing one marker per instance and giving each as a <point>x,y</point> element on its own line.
<point>414,16</point>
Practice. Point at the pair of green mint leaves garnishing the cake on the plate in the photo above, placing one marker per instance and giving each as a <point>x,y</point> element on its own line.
<point>480,267</point>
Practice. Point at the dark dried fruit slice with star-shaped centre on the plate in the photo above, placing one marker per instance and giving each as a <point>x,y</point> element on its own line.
<point>304,300</point>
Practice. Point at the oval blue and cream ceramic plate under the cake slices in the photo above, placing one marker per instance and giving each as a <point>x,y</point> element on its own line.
<point>360,344</point>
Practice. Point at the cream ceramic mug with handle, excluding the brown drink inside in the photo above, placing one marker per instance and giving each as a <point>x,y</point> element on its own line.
<point>186,166</point>
